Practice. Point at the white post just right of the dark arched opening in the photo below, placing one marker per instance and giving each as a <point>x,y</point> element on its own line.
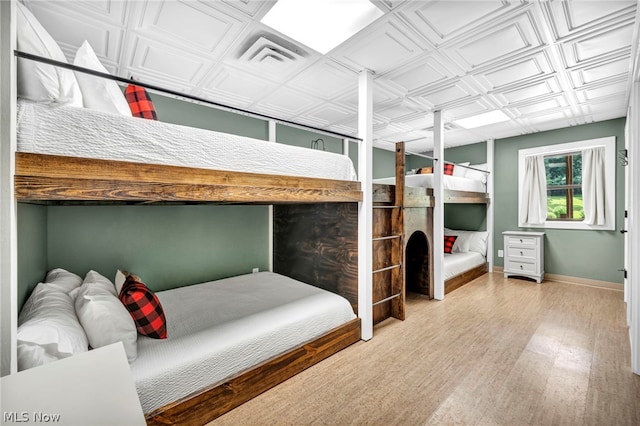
<point>438,209</point>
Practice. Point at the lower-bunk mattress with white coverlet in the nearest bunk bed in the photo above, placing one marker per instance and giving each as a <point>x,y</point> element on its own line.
<point>221,328</point>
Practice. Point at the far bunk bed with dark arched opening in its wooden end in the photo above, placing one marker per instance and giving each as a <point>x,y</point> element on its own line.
<point>468,259</point>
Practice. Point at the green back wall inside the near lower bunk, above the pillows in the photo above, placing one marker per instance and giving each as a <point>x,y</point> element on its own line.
<point>168,246</point>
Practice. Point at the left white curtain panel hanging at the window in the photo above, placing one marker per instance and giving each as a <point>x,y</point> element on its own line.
<point>533,207</point>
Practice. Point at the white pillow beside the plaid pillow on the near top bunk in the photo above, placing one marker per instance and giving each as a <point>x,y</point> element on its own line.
<point>98,93</point>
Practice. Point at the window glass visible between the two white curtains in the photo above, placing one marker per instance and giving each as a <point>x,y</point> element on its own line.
<point>564,186</point>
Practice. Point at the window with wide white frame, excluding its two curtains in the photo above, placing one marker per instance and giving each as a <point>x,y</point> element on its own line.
<point>563,176</point>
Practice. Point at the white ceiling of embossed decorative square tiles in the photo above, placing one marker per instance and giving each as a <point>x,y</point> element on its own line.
<point>546,64</point>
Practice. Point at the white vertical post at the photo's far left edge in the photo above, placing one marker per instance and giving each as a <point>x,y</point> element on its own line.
<point>8,205</point>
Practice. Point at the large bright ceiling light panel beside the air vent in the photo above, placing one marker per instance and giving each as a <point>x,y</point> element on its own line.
<point>321,24</point>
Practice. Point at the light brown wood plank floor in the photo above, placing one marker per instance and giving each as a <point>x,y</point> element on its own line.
<point>494,352</point>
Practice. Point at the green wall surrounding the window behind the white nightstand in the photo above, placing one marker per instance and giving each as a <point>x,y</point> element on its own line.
<point>587,254</point>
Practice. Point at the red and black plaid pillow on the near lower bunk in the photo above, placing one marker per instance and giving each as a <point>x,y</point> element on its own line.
<point>144,307</point>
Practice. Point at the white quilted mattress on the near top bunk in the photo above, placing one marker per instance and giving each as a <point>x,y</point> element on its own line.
<point>81,132</point>
